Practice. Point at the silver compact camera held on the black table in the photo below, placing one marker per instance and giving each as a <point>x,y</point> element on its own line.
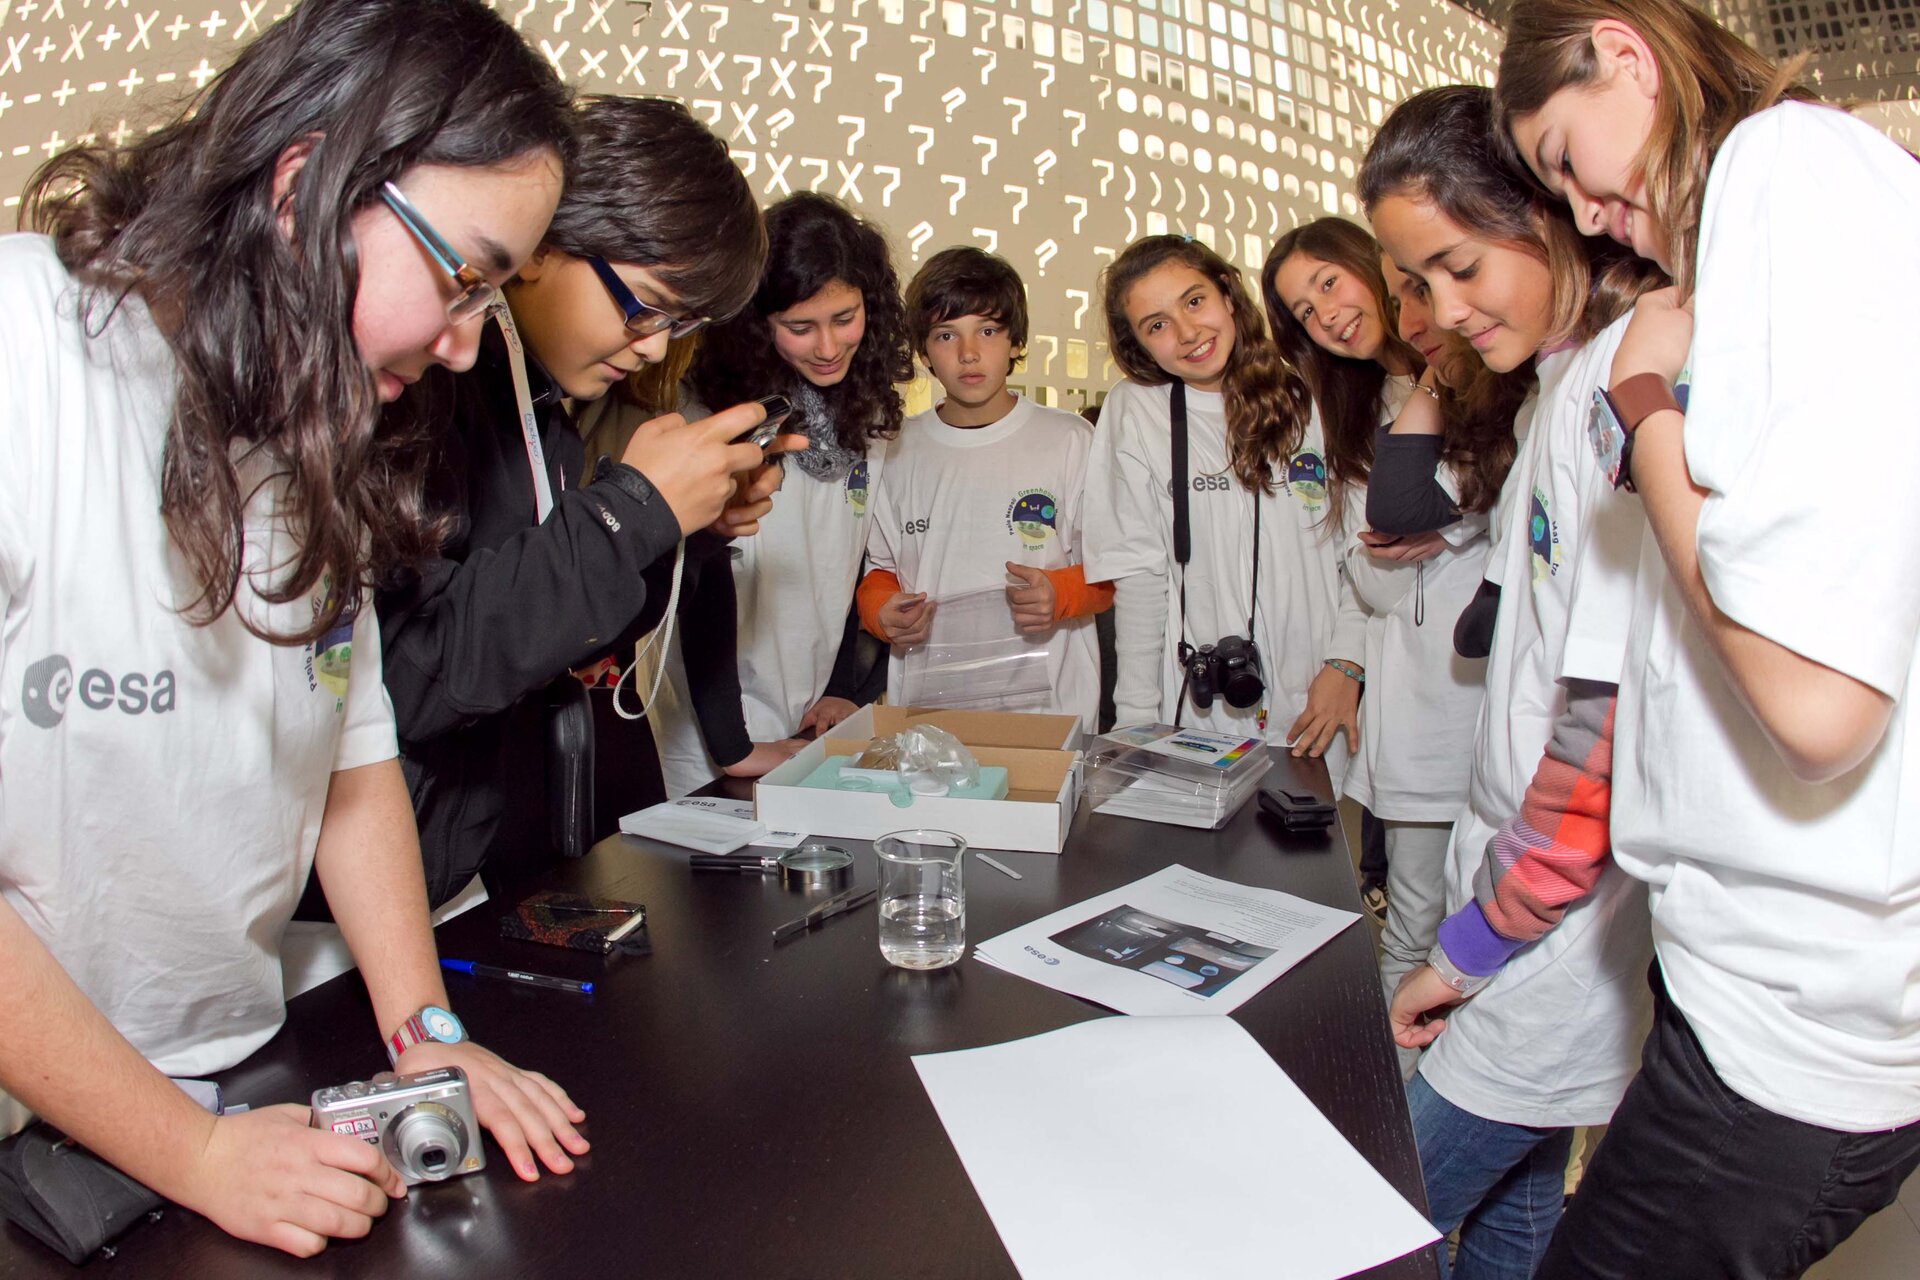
<point>423,1124</point>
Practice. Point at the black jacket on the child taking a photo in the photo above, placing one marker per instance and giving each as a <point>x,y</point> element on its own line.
<point>477,640</point>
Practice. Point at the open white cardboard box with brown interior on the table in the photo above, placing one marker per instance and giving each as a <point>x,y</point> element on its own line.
<point>1036,751</point>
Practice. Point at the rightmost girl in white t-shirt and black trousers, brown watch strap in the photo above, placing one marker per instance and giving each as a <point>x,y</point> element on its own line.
<point>1765,774</point>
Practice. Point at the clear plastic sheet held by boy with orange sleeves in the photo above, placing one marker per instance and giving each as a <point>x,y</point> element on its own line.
<point>974,657</point>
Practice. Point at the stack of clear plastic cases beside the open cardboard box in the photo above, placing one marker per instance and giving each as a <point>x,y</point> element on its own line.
<point>1180,776</point>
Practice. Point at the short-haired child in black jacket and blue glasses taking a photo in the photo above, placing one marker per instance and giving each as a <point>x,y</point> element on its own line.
<point>548,567</point>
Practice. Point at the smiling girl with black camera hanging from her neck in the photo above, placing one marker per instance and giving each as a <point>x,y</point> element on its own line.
<point>1180,320</point>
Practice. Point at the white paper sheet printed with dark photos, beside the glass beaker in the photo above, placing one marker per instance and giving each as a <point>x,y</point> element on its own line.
<point>1174,943</point>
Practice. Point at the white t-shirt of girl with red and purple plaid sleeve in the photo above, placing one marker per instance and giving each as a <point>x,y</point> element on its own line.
<point>1556,1037</point>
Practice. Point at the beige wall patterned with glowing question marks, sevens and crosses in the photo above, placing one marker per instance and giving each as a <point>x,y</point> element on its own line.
<point>1049,131</point>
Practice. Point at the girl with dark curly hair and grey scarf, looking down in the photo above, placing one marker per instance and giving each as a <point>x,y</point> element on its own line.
<point>828,331</point>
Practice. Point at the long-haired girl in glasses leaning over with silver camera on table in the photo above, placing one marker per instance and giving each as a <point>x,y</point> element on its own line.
<point>197,490</point>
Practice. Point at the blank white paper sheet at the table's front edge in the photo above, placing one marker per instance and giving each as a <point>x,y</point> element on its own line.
<point>1163,1147</point>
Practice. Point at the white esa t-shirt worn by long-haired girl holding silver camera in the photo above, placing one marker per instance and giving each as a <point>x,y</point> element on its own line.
<point>162,784</point>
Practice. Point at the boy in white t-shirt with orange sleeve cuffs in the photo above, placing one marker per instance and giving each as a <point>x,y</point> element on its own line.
<point>984,494</point>
